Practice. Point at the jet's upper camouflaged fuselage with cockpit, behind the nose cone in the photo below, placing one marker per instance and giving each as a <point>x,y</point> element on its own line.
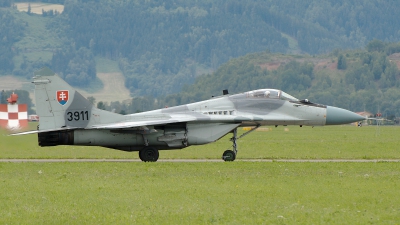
<point>247,110</point>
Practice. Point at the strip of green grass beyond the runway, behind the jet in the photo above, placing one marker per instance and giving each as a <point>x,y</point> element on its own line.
<point>334,142</point>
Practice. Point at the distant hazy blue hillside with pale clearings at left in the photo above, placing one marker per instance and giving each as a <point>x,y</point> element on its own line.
<point>169,44</point>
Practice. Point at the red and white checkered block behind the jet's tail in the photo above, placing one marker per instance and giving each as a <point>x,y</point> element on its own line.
<point>13,116</point>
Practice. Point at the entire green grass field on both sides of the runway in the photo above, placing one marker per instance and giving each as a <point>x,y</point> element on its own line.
<point>210,193</point>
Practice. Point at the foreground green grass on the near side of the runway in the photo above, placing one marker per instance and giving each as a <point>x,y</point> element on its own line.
<point>199,193</point>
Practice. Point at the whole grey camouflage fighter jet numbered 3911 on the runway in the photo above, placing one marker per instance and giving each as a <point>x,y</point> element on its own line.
<point>67,118</point>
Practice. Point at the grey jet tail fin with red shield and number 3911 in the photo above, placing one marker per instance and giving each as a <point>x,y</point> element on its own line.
<point>58,105</point>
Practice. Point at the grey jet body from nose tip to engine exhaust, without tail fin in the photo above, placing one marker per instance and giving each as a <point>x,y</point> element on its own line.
<point>203,122</point>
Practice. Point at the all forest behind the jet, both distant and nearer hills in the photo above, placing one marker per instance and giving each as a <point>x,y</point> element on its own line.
<point>174,51</point>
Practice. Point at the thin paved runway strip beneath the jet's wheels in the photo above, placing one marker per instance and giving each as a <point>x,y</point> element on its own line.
<point>202,160</point>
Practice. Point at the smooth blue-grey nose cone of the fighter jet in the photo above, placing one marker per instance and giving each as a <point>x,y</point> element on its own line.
<point>336,116</point>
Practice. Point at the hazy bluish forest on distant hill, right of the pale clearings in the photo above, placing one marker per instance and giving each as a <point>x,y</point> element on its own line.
<point>175,37</point>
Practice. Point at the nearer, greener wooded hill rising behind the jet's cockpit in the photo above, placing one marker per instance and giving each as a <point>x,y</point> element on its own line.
<point>369,81</point>
